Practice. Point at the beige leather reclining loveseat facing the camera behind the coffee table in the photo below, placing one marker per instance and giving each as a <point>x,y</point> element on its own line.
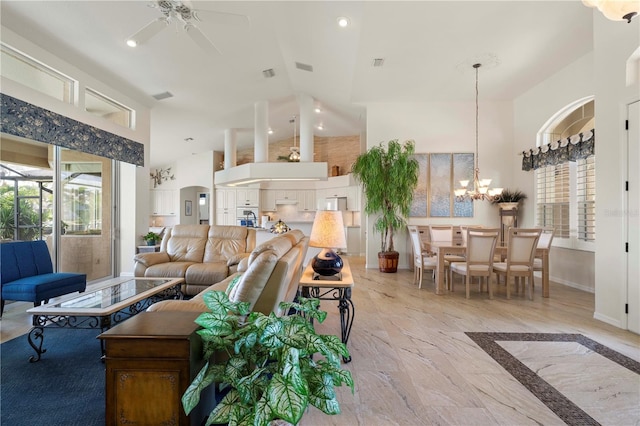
<point>201,254</point>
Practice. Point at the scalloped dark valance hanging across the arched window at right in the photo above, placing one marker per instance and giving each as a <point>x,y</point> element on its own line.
<point>573,148</point>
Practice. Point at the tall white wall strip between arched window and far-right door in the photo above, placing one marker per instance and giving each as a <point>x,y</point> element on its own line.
<point>614,43</point>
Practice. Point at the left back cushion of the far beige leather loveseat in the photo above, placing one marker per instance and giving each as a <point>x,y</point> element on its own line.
<point>185,243</point>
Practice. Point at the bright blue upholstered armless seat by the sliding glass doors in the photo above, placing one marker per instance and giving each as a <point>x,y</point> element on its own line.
<point>27,274</point>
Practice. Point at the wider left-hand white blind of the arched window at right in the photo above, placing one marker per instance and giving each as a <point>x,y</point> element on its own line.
<point>553,190</point>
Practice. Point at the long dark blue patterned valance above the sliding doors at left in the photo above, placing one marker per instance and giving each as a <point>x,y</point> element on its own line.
<point>23,119</point>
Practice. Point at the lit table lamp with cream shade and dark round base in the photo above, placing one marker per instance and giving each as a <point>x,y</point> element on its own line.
<point>327,233</point>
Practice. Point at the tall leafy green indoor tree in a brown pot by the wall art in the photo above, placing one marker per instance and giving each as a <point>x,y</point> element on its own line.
<point>389,175</point>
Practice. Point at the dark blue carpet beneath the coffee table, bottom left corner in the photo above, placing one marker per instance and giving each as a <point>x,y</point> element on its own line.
<point>66,387</point>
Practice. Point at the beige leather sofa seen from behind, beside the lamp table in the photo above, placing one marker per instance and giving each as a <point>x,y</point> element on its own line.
<point>268,276</point>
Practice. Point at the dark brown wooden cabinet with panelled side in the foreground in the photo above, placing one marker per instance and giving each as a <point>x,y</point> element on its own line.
<point>150,361</point>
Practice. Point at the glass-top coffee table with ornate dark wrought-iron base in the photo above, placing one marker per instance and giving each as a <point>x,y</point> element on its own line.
<point>101,306</point>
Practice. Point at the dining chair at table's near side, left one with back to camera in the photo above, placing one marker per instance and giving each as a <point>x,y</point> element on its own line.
<point>481,243</point>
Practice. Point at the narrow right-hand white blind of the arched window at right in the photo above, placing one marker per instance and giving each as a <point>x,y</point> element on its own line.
<point>586,198</point>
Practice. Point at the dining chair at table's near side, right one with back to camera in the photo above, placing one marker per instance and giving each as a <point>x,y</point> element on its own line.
<point>521,249</point>
